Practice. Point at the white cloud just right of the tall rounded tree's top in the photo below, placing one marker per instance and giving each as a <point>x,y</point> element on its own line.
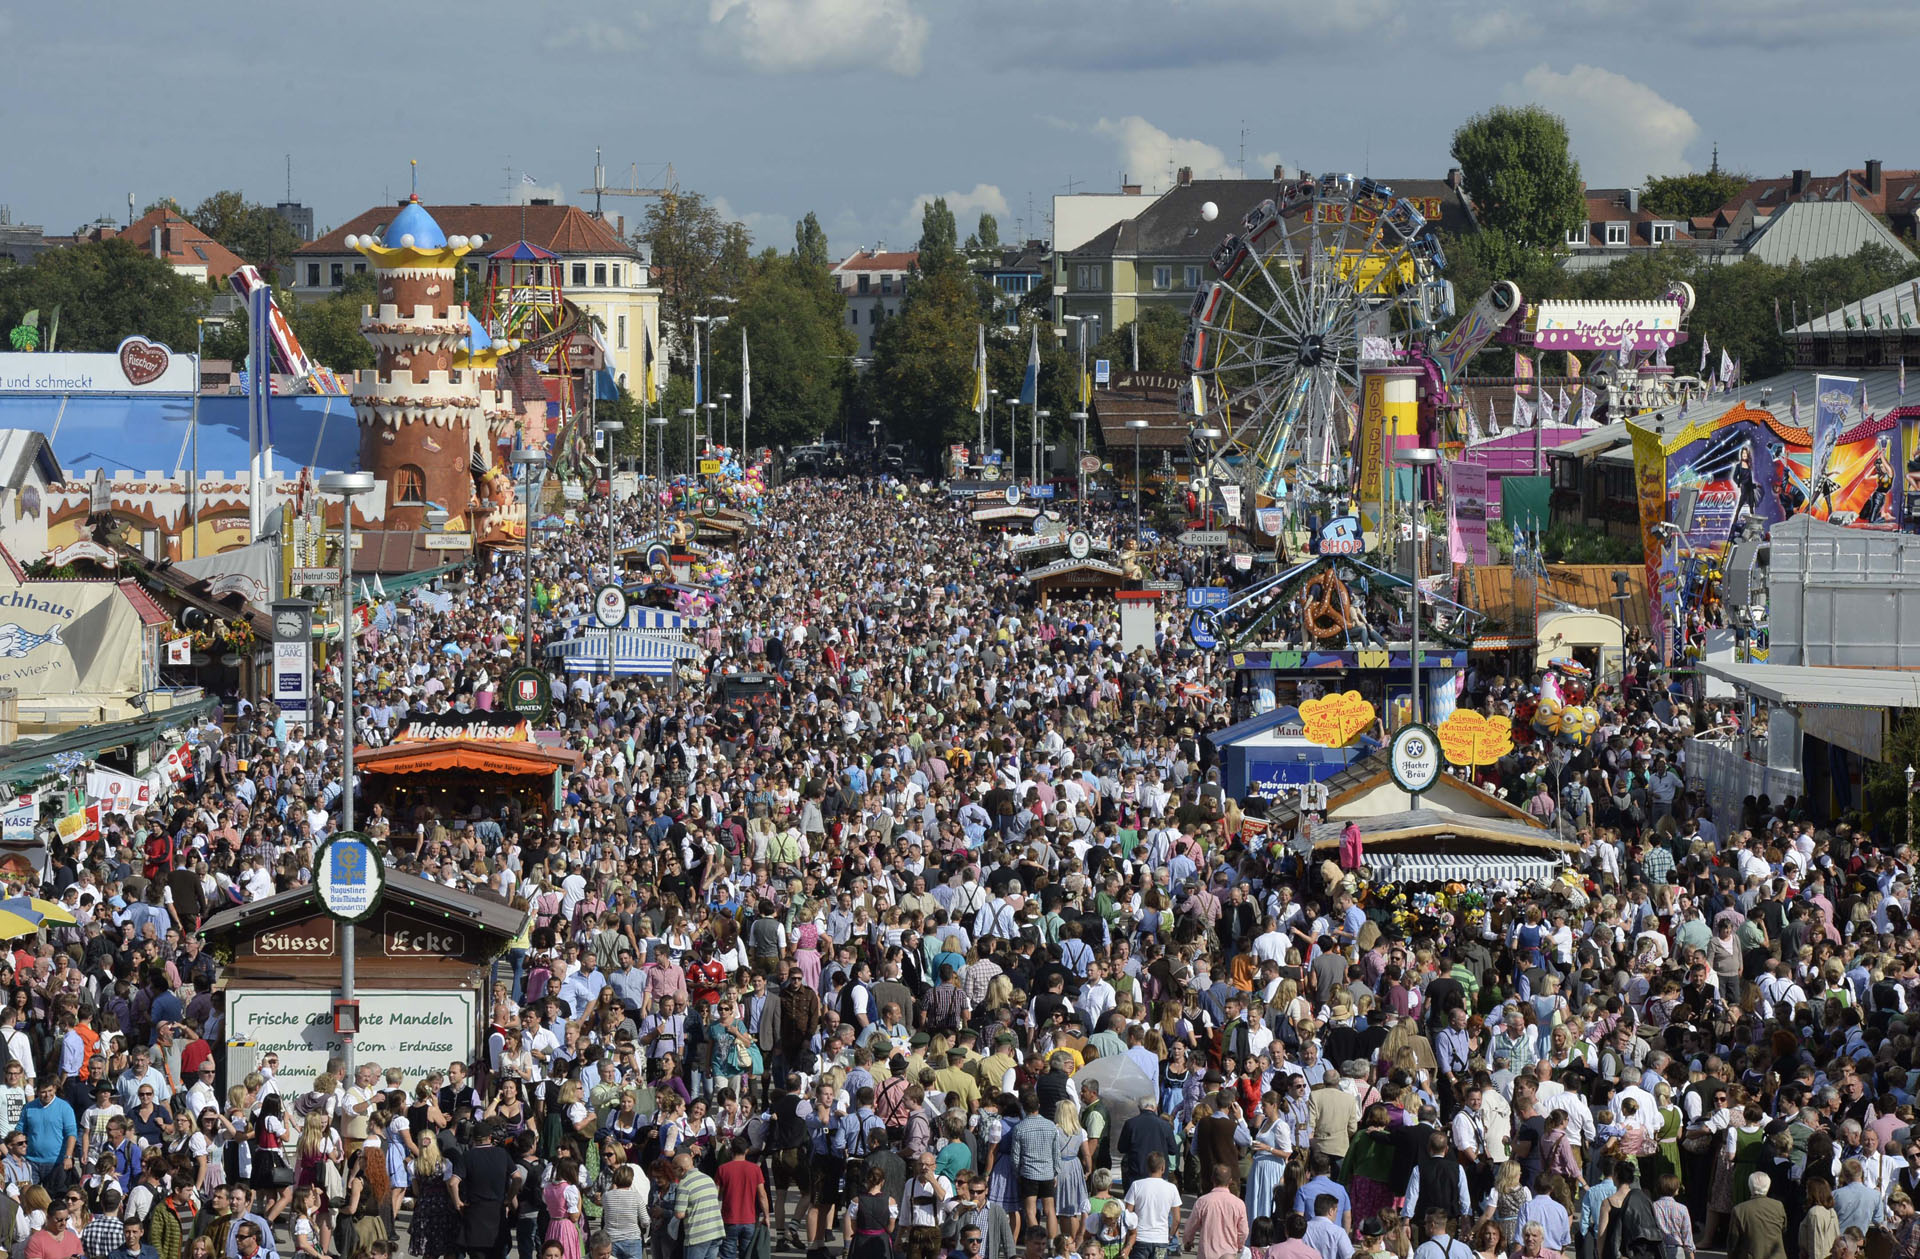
<point>1621,130</point>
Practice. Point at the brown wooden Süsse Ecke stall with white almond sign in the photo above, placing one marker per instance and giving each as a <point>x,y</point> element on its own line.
<point>421,978</point>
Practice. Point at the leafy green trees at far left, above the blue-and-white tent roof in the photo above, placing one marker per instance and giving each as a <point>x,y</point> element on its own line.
<point>107,291</point>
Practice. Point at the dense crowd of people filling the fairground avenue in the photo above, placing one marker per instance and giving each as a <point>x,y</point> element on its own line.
<point>955,947</point>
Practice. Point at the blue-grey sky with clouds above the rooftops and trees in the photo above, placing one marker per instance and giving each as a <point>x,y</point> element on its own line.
<point>861,110</point>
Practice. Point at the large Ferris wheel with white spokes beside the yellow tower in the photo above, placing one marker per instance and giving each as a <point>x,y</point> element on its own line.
<point>1330,268</point>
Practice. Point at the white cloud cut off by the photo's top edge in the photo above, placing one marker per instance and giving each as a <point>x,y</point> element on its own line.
<point>821,36</point>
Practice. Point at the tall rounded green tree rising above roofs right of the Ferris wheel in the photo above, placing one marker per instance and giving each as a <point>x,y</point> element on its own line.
<point>1522,176</point>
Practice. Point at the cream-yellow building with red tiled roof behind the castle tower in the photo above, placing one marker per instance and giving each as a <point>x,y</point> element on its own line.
<point>600,272</point>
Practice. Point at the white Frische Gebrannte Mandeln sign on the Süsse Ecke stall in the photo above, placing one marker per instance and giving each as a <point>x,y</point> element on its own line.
<point>414,1032</point>
